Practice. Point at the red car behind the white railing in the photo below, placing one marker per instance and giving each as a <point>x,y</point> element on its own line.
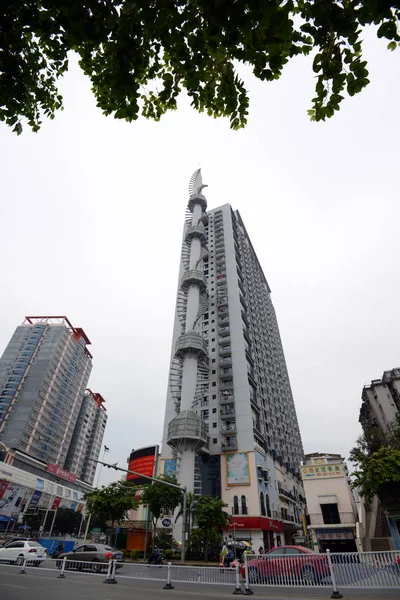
<point>288,563</point>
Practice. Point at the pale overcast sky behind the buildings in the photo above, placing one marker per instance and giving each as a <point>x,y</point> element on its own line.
<point>92,212</point>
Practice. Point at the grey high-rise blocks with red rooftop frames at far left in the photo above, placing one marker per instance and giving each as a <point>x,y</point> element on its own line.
<point>44,372</point>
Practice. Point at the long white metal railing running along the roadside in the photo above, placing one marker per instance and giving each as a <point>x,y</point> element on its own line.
<point>373,570</point>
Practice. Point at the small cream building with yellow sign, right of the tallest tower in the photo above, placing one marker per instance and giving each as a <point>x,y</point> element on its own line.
<point>331,505</point>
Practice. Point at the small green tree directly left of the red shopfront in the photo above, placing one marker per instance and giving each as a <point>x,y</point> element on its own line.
<point>210,518</point>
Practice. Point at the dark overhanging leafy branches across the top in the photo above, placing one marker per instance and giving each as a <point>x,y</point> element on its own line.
<point>140,55</point>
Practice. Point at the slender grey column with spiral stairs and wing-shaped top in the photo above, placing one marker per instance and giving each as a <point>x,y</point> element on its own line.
<point>187,433</point>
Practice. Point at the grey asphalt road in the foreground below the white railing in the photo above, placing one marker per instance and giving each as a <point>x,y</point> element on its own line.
<point>44,585</point>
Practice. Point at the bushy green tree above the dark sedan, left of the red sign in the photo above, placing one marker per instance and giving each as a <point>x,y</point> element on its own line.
<point>112,501</point>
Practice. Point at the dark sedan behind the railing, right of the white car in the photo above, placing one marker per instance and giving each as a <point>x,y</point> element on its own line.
<point>91,554</point>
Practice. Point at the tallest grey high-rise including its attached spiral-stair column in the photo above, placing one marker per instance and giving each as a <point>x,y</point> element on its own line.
<point>230,426</point>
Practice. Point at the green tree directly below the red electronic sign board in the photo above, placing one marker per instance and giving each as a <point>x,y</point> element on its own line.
<point>161,498</point>
